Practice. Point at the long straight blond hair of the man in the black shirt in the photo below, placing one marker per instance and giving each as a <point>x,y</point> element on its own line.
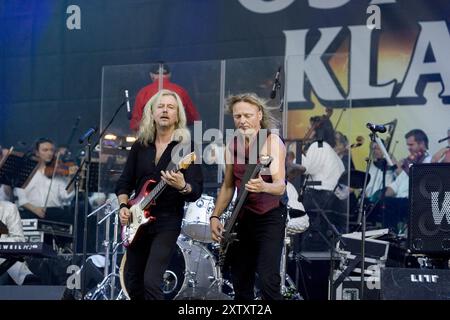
<point>147,127</point>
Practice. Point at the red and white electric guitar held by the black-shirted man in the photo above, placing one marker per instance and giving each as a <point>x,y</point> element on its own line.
<point>140,206</point>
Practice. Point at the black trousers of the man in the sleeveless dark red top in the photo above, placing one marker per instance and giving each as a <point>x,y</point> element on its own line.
<point>258,251</point>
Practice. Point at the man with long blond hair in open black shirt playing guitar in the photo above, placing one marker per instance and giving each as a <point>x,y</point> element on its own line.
<point>162,130</point>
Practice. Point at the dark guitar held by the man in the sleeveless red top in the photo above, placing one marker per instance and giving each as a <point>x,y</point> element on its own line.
<point>230,235</point>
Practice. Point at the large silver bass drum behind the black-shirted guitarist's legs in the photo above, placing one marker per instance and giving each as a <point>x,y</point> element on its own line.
<point>190,274</point>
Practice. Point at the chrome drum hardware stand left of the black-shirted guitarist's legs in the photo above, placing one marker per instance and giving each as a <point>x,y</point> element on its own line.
<point>110,277</point>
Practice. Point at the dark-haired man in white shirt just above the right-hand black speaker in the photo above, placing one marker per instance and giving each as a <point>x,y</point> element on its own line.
<point>417,143</point>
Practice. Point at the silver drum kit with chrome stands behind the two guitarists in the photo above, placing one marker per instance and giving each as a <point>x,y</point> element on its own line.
<point>192,273</point>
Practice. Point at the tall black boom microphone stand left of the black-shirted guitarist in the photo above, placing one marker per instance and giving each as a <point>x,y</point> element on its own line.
<point>86,162</point>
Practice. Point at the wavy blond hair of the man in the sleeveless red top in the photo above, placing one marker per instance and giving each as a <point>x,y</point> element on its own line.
<point>267,121</point>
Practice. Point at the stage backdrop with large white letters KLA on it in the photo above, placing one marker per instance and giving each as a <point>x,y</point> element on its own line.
<point>380,61</point>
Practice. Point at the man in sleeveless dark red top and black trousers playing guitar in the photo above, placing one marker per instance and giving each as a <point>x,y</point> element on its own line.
<point>261,221</point>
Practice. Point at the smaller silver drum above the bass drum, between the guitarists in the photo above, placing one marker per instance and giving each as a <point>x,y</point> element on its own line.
<point>196,219</point>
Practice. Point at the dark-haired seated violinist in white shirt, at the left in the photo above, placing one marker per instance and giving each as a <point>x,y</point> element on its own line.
<point>45,197</point>
